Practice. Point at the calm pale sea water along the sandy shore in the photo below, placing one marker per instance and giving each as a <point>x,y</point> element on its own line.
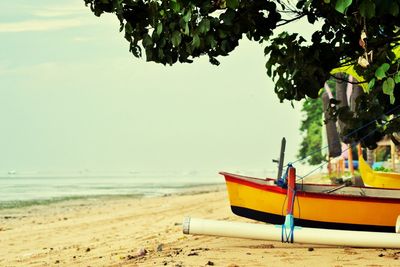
<point>22,190</point>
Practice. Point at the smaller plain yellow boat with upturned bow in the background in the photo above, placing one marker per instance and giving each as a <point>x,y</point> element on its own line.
<point>376,178</point>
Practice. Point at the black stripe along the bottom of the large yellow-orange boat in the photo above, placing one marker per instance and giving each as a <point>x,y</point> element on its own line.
<point>279,219</point>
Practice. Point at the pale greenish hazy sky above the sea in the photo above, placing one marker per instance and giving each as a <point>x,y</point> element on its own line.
<point>73,98</point>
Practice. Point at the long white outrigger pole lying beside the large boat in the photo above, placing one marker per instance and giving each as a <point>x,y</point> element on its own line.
<point>301,234</point>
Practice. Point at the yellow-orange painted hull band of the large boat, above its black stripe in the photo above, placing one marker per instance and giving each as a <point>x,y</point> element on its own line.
<point>313,206</point>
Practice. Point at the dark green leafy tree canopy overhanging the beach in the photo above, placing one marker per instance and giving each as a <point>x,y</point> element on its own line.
<point>360,37</point>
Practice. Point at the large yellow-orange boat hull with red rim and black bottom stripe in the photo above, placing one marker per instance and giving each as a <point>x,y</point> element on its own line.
<point>315,205</point>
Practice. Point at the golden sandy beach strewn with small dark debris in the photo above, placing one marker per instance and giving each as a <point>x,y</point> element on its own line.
<point>124,231</point>
